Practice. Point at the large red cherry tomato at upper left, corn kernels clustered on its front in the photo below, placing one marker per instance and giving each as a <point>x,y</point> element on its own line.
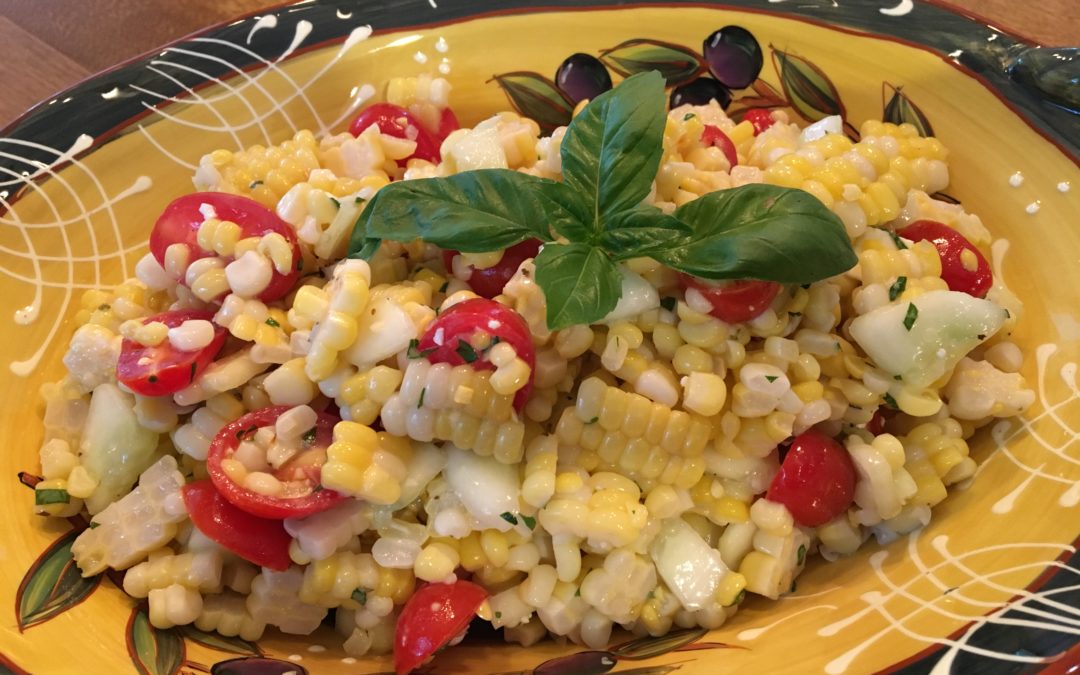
<point>180,225</point>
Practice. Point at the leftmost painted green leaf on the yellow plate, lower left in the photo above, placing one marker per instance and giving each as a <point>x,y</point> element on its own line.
<point>53,585</point>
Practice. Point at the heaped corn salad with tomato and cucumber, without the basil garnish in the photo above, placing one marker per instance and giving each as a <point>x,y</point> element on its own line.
<point>572,474</point>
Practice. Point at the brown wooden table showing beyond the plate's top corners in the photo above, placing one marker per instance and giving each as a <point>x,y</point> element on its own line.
<point>51,45</point>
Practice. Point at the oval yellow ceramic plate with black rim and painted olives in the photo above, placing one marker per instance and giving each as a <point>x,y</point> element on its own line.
<point>991,586</point>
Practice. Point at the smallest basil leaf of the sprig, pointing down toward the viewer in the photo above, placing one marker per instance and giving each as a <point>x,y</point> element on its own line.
<point>580,282</point>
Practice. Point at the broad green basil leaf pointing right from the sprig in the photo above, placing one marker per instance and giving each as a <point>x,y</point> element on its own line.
<point>761,232</point>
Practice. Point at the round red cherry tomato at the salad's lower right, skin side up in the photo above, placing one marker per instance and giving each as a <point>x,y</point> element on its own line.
<point>817,480</point>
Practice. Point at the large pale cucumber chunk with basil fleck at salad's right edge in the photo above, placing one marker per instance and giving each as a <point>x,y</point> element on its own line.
<point>925,339</point>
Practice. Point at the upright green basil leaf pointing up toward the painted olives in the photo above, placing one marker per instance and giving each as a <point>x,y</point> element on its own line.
<point>613,148</point>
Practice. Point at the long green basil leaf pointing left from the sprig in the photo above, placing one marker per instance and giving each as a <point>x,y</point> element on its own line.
<point>474,212</point>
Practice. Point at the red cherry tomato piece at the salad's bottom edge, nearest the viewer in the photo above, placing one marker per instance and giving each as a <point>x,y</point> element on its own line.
<point>437,614</point>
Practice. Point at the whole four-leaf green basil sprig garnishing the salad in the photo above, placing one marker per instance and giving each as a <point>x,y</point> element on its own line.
<point>596,218</point>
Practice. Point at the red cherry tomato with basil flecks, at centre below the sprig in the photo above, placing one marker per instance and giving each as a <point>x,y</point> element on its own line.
<point>461,335</point>
